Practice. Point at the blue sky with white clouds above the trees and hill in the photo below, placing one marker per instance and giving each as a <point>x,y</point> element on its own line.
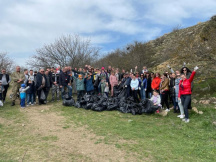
<point>26,25</point>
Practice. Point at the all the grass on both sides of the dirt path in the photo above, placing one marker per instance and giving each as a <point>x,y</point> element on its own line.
<point>144,137</point>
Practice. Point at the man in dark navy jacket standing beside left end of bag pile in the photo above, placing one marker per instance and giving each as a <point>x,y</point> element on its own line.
<point>64,81</point>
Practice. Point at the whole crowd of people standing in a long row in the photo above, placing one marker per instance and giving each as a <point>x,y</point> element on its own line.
<point>170,88</point>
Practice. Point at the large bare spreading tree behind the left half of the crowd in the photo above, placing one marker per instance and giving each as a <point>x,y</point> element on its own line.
<point>67,50</point>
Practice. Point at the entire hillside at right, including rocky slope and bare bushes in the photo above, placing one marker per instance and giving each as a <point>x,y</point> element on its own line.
<point>194,45</point>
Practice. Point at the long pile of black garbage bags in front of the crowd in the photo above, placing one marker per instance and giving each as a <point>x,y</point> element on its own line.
<point>120,103</point>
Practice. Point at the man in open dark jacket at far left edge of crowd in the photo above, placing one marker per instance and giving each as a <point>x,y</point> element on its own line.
<point>5,78</point>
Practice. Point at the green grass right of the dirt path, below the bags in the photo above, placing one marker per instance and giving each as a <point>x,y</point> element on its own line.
<point>161,138</point>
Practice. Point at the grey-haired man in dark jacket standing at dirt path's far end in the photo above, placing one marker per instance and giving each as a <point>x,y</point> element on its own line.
<point>41,84</point>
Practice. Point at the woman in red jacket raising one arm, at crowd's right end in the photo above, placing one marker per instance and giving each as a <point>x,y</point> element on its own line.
<point>185,92</point>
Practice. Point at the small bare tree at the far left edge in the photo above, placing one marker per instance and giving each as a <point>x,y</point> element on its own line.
<point>6,62</point>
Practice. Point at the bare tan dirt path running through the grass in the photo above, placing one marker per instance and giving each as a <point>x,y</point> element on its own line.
<point>71,144</point>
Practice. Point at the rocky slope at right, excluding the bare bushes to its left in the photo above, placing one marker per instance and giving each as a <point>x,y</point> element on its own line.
<point>195,45</point>
